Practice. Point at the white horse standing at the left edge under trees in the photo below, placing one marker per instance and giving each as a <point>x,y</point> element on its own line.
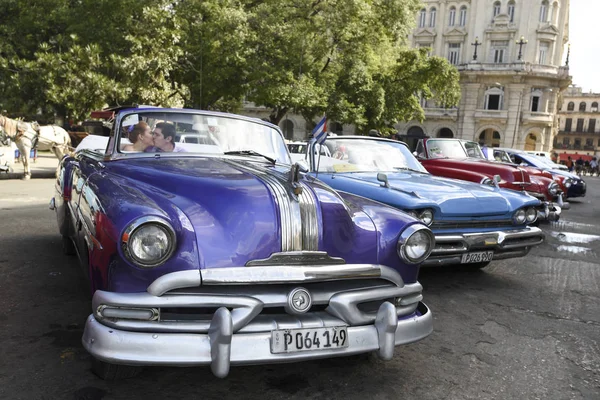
<point>28,136</point>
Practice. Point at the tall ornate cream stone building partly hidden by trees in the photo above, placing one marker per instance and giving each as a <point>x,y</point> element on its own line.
<point>509,54</point>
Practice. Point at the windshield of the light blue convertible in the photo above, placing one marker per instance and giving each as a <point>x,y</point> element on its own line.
<point>366,155</point>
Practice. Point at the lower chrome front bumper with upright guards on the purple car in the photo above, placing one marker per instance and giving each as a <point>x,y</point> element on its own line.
<point>221,348</point>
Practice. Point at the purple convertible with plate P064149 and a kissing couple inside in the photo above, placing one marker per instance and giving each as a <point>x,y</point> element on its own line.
<point>224,253</point>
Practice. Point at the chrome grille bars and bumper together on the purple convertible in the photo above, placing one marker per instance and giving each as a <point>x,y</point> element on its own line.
<point>125,328</point>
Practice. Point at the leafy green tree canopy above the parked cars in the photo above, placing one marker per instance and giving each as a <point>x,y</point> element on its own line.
<point>346,58</point>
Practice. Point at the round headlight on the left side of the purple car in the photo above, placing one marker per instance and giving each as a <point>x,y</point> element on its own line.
<point>148,242</point>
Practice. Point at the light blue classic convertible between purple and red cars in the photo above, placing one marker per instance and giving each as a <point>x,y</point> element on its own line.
<point>473,223</point>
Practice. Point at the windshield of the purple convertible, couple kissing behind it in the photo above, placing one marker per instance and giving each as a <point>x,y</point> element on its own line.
<point>163,131</point>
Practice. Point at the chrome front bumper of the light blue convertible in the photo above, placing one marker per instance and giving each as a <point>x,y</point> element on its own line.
<point>505,244</point>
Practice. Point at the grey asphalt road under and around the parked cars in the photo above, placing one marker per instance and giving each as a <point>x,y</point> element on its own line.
<point>526,328</point>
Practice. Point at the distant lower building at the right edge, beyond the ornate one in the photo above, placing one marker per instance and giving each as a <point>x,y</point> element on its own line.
<point>579,125</point>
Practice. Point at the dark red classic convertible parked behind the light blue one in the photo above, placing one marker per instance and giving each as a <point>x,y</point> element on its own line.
<point>460,159</point>
